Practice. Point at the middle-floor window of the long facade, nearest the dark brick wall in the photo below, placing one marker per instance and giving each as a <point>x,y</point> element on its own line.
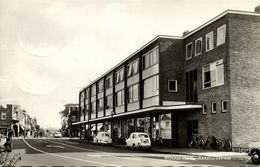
<point>151,86</point>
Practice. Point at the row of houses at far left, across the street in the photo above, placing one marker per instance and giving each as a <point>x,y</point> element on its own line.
<point>13,117</point>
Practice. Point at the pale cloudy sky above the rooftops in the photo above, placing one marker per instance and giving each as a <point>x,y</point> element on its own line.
<point>51,49</point>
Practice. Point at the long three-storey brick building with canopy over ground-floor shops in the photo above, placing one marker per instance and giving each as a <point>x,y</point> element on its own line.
<point>206,82</point>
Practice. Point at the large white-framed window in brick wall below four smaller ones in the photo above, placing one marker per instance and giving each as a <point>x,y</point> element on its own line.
<point>213,74</point>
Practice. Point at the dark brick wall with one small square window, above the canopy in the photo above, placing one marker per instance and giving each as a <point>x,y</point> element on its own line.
<point>171,68</point>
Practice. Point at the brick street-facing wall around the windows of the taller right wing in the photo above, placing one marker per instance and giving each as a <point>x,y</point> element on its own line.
<point>218,124</point>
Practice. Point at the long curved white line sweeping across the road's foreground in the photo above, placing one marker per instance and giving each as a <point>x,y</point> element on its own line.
<point>66,157</point>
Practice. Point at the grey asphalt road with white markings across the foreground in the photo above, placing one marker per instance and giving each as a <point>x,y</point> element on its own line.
<point>62,152</point>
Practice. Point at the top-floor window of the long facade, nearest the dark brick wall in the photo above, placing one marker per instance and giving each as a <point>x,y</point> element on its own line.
<point>150,58</point>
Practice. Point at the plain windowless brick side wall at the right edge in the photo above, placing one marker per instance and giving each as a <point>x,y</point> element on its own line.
<point>245,78</point>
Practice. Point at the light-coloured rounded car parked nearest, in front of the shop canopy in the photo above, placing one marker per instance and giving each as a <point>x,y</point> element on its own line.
<point>138,140</point>
